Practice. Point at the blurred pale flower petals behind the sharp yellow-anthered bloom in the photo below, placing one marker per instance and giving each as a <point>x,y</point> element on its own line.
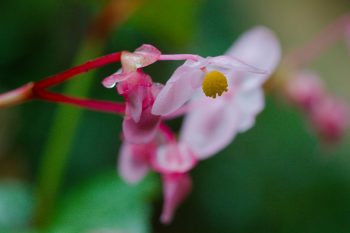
<point>213,123</point>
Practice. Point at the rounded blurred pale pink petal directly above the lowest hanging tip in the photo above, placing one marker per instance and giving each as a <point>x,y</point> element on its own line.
<point>173,158</point>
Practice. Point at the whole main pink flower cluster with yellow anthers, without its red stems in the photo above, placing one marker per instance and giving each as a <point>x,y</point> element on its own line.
<point>228,103</point>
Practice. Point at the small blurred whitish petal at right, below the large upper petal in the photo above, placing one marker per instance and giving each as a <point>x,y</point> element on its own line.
<point>247,104</point>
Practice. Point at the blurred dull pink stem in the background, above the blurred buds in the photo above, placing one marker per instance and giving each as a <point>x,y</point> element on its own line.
<point>322,41</point>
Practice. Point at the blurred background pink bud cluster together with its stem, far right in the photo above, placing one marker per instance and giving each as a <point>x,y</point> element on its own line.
<point>328,115</point>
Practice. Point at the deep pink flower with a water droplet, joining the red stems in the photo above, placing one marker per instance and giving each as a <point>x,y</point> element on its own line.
<point>139,125</point>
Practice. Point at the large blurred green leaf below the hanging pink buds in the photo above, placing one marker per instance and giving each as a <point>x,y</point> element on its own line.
<point>108,204</point>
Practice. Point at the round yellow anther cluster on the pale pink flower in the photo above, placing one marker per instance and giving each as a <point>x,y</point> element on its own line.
<point>214,83</point>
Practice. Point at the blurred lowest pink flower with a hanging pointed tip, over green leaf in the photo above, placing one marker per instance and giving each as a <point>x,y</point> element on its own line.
<point>172,160</point>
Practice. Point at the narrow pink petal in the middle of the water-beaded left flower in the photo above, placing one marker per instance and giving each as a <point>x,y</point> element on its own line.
<point>134,102</point>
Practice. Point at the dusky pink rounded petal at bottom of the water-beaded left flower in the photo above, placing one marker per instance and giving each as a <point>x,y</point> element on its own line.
<point>142,131</point>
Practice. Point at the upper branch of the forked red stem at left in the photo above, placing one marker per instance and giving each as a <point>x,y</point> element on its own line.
<point>61,77</point>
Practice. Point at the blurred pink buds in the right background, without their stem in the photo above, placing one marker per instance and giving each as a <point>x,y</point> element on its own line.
<point>328,115</point>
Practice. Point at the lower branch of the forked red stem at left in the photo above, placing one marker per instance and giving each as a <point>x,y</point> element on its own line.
<point>96,105</point>
